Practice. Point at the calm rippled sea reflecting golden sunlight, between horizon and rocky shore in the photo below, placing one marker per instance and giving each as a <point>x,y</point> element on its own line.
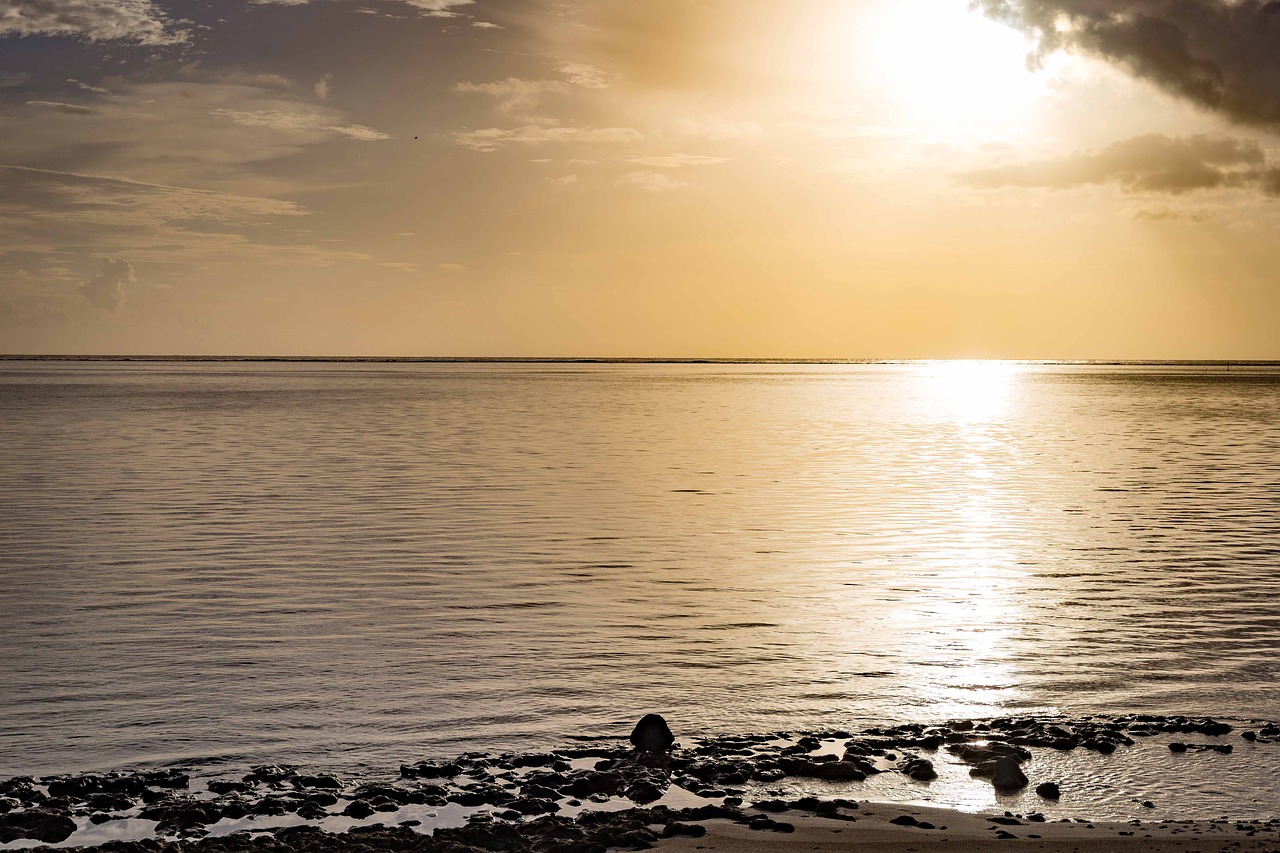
<point>345,565</point>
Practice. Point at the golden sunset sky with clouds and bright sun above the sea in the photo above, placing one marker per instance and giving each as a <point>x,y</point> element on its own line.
<point>684,179</point>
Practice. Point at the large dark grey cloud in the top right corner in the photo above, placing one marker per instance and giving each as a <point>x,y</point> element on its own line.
<point>1219,54</point>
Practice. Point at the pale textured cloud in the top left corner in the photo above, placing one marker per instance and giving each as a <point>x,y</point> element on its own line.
<point>138,21</point>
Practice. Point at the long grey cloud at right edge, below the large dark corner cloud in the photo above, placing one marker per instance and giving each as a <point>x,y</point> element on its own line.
<point>1151,165</point>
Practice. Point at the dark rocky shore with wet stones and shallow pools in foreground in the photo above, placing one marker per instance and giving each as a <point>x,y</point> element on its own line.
<point>596,797</point>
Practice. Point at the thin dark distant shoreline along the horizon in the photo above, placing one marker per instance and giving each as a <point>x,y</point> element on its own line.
<point>243,359</point>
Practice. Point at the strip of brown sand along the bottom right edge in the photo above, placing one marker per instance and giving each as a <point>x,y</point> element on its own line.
<point>958,832</point>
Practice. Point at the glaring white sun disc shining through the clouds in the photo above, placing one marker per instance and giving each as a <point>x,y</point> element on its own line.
<point>945,67</point>
